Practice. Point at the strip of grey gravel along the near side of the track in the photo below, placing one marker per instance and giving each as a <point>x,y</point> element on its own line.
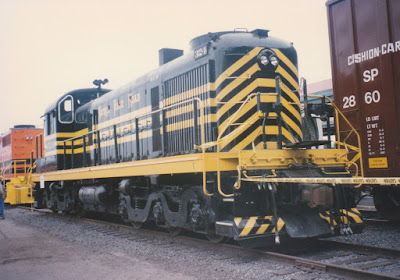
<point>194,262</point>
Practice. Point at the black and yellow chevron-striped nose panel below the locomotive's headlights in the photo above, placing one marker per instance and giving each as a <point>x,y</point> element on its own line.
<point>249,78</point>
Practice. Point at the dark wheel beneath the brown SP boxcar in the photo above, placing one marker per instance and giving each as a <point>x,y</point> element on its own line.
<point>387,202</point>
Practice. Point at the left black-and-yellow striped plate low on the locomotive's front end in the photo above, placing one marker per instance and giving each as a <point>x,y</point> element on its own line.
<point>256,225</point>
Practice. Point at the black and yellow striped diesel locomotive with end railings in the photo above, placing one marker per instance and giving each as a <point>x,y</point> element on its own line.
<point>214,141</point>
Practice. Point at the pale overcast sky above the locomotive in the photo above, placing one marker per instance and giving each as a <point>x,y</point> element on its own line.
<point>50,47</point>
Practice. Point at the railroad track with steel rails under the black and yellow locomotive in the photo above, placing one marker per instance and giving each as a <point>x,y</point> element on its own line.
<point>346,260</point>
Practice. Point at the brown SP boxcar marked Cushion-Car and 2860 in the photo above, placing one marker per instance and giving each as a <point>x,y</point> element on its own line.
<point>365,55</point>
